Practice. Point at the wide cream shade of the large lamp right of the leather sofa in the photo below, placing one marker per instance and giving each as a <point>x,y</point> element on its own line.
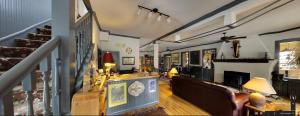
<point>260,85</point>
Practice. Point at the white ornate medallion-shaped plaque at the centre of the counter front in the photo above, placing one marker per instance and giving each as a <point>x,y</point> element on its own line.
<point>136,88</point>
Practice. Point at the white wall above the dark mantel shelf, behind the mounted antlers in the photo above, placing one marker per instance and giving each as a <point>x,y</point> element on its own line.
<point>255,46</point>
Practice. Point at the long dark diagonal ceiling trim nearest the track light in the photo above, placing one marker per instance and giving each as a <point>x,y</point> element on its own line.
<point>221,9</point>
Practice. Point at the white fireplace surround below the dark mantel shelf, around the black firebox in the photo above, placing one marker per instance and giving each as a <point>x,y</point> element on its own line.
<point>255,69</point>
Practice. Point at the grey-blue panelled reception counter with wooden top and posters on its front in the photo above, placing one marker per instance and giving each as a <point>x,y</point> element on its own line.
<point>128,92</point>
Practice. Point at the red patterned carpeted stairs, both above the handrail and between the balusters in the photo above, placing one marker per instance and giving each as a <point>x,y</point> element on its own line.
<point>12,55</point>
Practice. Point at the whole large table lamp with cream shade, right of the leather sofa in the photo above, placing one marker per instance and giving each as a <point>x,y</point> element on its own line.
<point>260,87</point>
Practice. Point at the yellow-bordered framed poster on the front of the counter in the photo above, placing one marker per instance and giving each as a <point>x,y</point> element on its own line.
<point>117,94</point>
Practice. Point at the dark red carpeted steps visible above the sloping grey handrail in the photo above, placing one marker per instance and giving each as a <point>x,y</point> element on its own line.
<point>11,55</point>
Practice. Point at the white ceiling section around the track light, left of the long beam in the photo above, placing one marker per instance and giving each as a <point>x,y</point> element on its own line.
<point>120,16</point>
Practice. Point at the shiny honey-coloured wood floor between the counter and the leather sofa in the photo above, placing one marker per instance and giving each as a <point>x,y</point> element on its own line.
<point>174,105</point>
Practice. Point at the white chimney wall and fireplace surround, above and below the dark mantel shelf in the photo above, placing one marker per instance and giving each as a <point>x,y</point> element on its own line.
<point>253,47</point>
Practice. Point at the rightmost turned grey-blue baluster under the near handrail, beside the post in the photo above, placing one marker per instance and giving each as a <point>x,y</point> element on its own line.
<point>45,68</point>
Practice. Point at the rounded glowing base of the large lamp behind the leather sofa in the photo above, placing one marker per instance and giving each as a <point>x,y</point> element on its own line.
<point>257,100</point>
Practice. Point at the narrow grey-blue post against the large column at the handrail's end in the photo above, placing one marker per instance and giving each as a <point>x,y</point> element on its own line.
<point>55,83</point>
